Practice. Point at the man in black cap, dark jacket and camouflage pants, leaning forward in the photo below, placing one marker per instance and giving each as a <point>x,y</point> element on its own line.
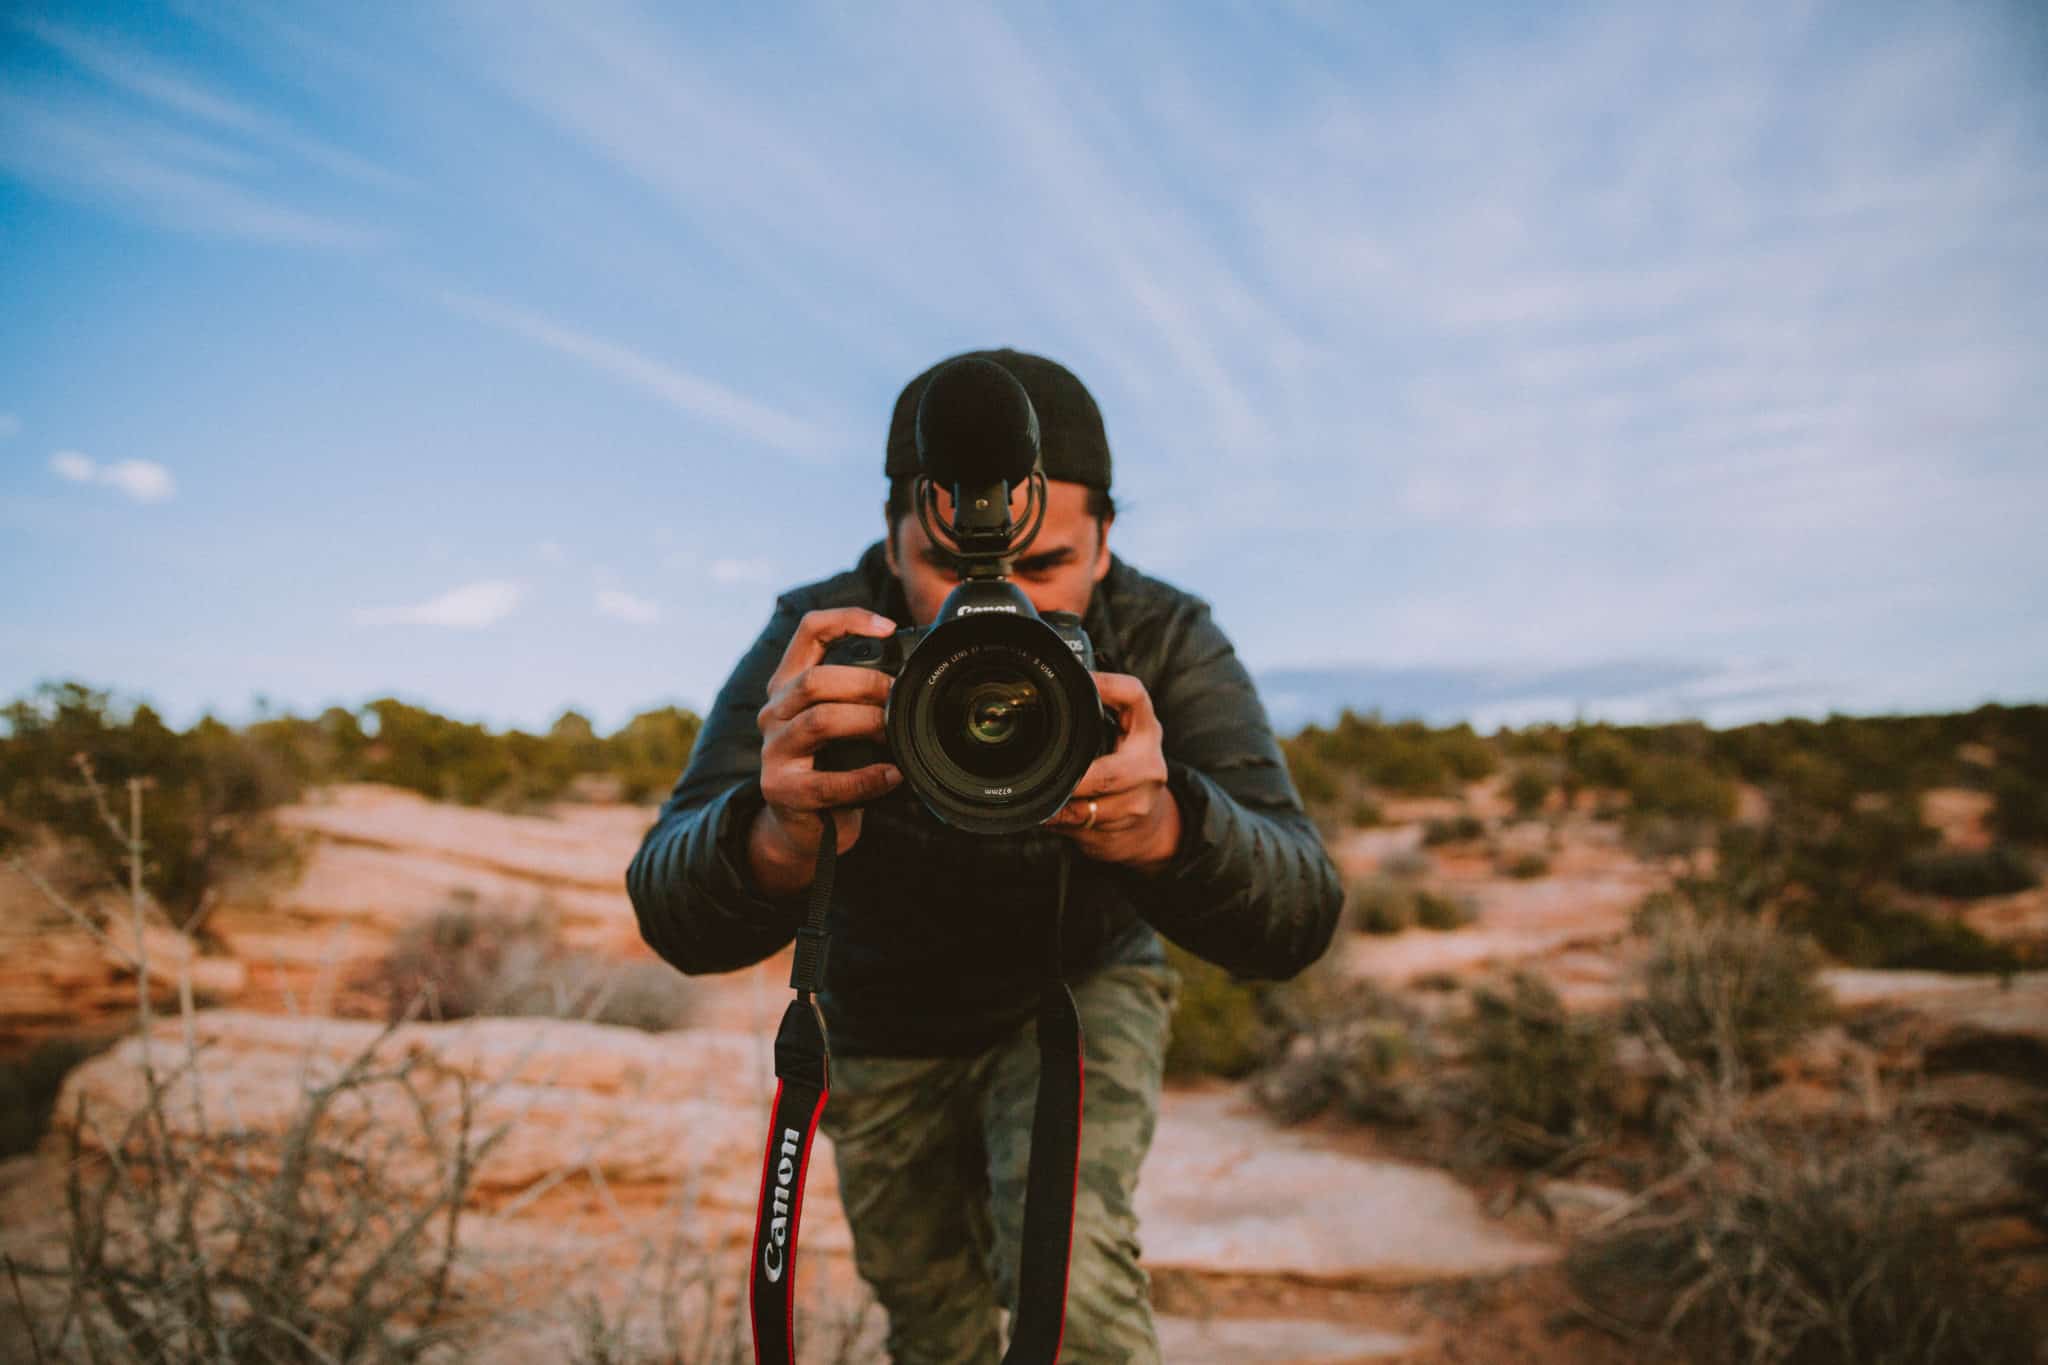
<point>1189,830</point>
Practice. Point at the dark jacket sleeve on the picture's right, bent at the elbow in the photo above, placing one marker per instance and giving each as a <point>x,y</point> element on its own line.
<point>1250,885</point>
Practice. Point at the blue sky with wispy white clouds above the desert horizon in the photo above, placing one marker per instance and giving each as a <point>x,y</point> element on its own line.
<point>1498,361</point>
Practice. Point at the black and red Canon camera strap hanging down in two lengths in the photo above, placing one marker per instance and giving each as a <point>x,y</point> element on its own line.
<point>804,1073</point>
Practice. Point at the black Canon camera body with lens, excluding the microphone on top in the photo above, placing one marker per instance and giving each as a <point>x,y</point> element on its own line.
<point>994,713</point>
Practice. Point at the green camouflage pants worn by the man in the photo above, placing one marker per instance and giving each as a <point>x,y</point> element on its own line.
<point>933,1157</point>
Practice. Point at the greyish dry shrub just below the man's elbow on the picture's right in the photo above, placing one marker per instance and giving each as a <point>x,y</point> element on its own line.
<point>1345,1047</point>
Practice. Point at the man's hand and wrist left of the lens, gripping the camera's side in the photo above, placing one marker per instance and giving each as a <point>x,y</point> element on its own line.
<point>810,705</point>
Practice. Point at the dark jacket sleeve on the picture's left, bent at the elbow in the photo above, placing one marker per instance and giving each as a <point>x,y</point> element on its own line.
<point>691,887</point>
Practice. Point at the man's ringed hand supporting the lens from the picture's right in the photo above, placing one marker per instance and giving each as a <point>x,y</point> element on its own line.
<point>1121,811</point>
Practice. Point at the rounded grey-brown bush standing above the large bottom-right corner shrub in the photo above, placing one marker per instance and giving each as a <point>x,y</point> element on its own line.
<point>1723,992</point>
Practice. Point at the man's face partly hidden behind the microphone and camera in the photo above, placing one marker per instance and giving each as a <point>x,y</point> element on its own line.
<point>1060,570</point>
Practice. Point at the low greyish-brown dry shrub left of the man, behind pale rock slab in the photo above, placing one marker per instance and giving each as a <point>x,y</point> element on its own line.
<point>466,961</point>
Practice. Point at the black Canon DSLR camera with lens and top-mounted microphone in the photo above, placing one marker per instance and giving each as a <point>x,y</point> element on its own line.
<point>994,713</point>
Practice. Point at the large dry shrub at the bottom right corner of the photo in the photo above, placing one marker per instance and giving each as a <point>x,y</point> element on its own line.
<point>1775,1256</point>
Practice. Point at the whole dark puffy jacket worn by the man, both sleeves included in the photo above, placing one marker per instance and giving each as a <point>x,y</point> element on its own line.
<point>939,936</point>
